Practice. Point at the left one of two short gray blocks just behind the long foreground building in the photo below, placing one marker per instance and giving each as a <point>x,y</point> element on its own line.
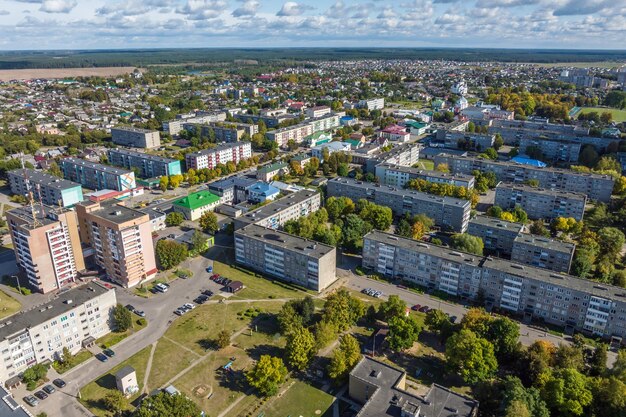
<point>497,235</point>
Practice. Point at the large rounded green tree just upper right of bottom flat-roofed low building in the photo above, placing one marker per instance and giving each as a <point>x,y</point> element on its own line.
<point>470,356</point>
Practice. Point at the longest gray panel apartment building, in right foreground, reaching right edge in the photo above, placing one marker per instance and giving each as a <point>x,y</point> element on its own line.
<point>534,293</point>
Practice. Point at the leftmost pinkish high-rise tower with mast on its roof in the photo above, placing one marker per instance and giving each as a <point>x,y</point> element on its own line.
<point>47,246</point>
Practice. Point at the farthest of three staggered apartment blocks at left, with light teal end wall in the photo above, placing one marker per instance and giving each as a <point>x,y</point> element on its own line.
<point>149,166</point>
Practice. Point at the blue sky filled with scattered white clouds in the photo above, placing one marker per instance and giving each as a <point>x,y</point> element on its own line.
<point>116,24</point>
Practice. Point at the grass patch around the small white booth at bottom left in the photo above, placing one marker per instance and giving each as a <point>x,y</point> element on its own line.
<point>93,393</point>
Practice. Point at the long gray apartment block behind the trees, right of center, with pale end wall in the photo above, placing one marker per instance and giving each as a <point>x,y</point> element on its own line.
<point>447,212</point>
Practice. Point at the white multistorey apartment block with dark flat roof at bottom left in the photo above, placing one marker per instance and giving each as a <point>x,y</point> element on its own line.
<point>73,319</point>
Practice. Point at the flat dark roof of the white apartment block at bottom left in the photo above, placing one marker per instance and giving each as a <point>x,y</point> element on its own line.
<point>58,305</point>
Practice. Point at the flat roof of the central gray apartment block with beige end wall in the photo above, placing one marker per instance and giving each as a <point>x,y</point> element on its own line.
<point>292,243</point>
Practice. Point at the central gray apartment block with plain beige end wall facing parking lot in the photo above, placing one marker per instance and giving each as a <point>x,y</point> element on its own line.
<point>290,258</point>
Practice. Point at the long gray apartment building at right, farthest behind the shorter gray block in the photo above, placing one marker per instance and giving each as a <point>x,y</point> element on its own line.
<point>595,186</point>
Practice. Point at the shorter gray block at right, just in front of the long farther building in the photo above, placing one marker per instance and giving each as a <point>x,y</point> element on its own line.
<point>540,203</point>
